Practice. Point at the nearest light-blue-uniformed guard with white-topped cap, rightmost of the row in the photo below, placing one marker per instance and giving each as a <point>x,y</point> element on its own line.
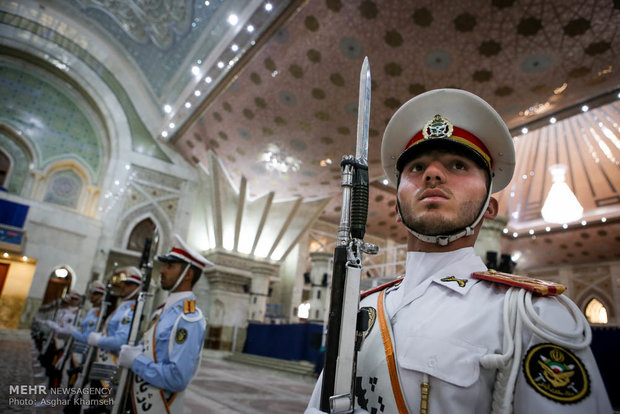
<point>169,355</point>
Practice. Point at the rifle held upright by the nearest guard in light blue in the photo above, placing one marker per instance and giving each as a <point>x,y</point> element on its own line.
<point>146,266</point>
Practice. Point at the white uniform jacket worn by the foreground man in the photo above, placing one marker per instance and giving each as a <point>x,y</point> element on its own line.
<point>443,326</point>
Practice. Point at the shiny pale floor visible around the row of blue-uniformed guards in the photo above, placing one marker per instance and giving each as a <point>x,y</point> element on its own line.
<point>220,386</point>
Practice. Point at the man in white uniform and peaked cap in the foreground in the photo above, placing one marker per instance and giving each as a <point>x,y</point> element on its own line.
<point>452,337</point>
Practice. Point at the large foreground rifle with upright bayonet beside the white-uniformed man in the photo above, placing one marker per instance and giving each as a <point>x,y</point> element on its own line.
<point>343,337</point>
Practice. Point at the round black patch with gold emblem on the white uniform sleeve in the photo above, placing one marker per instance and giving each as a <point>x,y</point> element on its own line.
<point>556,373</point>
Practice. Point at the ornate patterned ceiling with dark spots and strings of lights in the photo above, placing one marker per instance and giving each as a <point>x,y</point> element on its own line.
<point>278,105</point>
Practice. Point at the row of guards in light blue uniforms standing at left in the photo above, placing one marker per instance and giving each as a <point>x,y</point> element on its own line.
<point>166,357</point>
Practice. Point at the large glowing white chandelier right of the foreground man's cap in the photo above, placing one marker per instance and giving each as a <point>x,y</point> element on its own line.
<point>561,205</point>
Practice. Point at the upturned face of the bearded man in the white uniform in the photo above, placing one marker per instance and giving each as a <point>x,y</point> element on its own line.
<point>441,192</point>
